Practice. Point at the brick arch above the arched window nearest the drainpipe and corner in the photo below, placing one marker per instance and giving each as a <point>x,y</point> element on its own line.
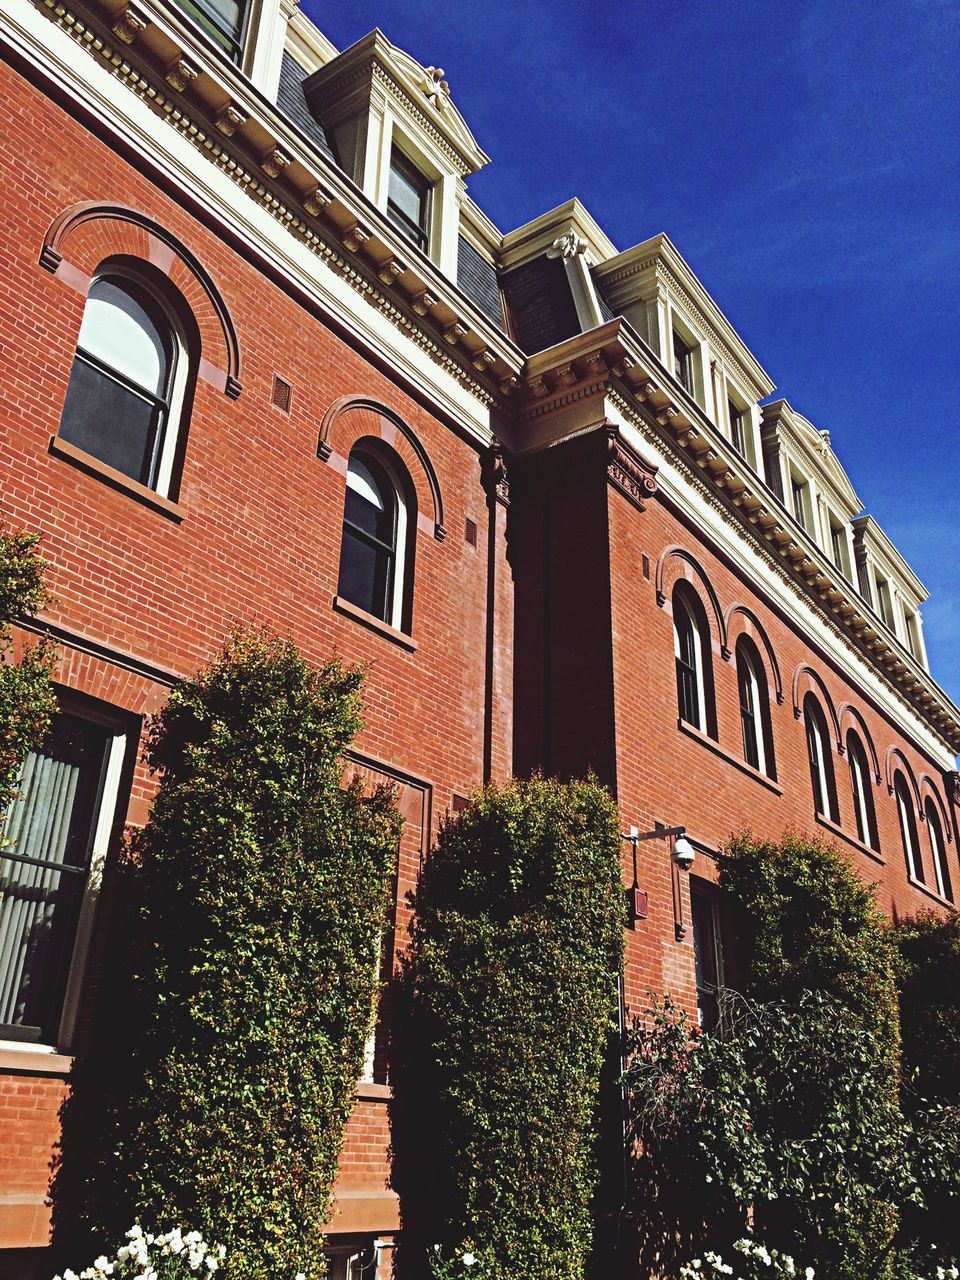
<point>354,417</point>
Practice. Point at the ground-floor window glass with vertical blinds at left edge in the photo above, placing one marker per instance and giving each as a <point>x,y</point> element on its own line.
<point>51,829</point>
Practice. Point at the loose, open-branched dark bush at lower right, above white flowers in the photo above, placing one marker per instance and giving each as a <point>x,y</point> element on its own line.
<point>785,1123</point>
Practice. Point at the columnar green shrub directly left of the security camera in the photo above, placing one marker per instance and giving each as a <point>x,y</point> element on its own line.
<point>513,989</point>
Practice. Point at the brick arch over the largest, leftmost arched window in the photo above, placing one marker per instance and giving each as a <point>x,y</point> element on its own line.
<point>98,231</point>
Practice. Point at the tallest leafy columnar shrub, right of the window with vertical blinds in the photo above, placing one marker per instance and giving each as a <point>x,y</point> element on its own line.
<point>263,893</point>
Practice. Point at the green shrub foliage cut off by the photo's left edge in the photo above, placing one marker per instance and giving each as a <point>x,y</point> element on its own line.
<point>26,698</point>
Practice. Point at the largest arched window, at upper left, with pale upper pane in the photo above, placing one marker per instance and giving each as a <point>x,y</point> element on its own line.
<point>127,385</point>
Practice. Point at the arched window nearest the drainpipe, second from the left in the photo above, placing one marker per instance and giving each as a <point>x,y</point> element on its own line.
<point>374,552</point>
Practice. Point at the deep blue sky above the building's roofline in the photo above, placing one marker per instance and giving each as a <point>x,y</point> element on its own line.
<point>806,161</point>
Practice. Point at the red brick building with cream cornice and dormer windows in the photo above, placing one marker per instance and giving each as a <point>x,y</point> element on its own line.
<point>267,362</point>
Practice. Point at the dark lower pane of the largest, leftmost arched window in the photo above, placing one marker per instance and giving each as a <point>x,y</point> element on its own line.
<point>116,424</point>
